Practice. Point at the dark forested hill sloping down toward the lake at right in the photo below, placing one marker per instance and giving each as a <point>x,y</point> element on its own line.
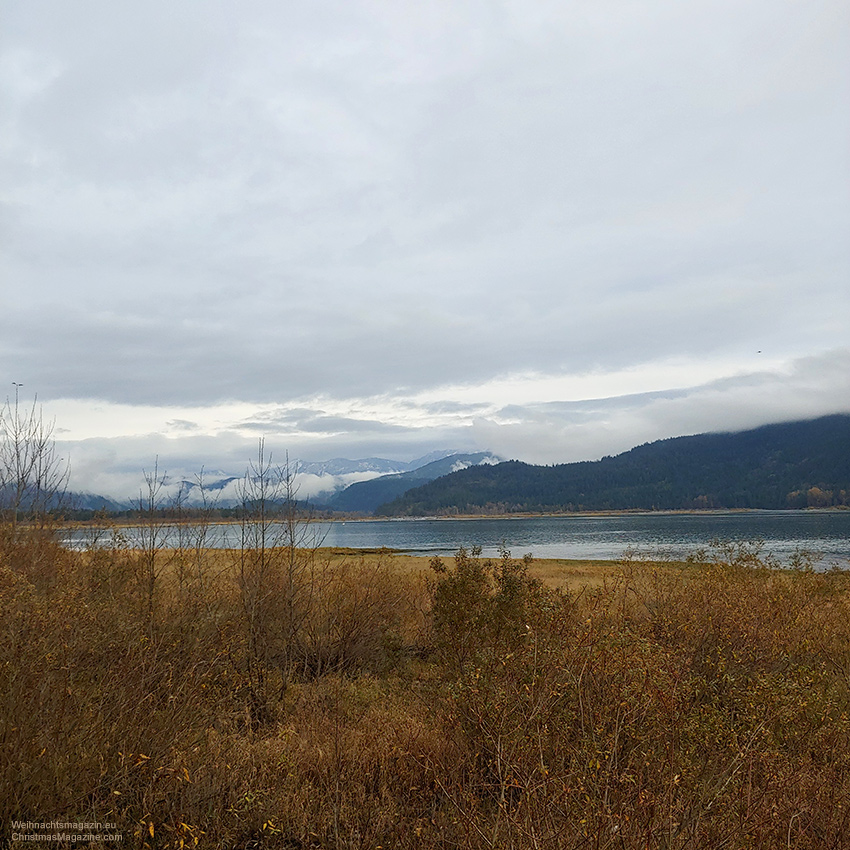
<point>790,465</point>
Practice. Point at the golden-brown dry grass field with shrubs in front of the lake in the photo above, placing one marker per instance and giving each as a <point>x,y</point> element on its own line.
<point>277,697</point>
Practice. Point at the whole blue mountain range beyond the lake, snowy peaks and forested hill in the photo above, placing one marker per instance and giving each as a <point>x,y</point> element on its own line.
<point>787,465</point>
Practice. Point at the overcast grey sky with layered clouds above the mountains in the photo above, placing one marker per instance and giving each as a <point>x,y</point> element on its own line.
<point>549,229</point>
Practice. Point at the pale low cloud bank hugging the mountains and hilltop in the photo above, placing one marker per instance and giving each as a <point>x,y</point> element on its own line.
<point>547,432</point>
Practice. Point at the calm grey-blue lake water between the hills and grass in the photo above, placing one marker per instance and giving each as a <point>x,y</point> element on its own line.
<point>825,533</point>
